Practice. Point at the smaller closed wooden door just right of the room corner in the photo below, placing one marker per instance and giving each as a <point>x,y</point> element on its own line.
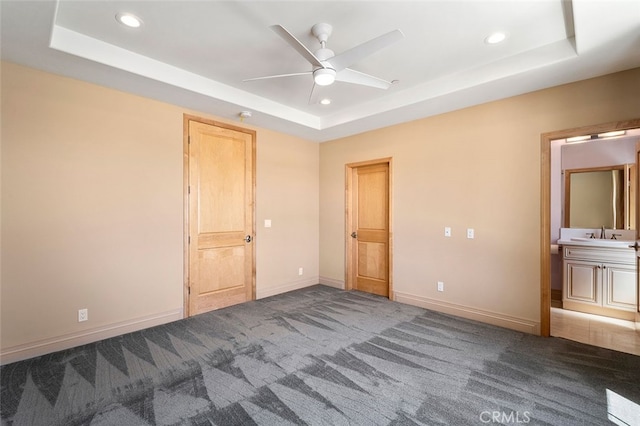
<point>368,216</point>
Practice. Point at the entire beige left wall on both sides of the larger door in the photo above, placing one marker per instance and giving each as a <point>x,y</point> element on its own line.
<point>92,211</point>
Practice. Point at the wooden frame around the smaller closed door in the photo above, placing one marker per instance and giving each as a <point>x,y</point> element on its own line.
<point>349,170</point>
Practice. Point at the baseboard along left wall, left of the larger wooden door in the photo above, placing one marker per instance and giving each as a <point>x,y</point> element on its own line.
<point>45,346</point>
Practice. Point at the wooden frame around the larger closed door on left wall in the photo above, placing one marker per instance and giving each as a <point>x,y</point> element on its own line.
<point>185,200</point>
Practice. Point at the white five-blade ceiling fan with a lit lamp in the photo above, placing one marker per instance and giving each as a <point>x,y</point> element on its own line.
<point>329,67</point>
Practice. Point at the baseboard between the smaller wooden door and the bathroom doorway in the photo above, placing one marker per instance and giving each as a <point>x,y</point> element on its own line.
<point>494,318</point>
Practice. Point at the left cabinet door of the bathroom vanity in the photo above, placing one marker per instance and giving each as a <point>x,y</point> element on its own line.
<point>581,282</point>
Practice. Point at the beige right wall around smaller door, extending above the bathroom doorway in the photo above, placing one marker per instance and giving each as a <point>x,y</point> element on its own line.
<point>474,168</point>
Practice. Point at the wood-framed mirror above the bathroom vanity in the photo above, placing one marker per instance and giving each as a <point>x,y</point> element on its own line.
<point>602,196</point>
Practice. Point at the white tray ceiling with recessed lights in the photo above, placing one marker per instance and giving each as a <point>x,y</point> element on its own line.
<point>196,54</point>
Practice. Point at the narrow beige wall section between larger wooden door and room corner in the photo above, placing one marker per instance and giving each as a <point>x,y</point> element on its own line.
<point>288,184</point>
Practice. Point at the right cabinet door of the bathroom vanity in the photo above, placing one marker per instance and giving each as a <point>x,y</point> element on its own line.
<point>619,286</point>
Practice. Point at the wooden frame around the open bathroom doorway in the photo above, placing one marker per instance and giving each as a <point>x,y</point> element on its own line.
<point>545,207</point>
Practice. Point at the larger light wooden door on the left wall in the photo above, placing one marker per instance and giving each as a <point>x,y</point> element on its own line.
<point>220,215</point>
